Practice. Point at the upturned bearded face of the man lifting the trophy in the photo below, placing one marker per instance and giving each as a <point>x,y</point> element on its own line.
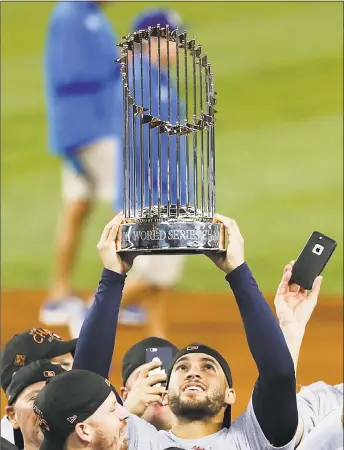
<point>198,388</point>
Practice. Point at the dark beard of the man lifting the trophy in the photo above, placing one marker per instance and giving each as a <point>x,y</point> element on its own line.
<point>193,411</point>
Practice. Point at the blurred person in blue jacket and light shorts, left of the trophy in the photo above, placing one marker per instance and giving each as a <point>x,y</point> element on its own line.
<point>84,127</point>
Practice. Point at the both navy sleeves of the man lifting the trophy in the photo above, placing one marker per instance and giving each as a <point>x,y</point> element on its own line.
<point>274,396</point>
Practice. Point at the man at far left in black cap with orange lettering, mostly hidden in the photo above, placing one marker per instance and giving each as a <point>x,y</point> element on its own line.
<point>25,348</point>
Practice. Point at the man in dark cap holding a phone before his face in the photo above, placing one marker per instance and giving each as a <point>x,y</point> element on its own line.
<point>142,383</point>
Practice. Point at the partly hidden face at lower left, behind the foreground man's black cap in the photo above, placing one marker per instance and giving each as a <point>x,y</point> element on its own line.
<point>22,416</point>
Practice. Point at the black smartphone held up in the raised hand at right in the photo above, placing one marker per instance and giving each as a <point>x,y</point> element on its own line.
<point>312,260</point>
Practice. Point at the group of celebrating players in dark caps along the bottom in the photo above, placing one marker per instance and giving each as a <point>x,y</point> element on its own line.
<point>59,396</point>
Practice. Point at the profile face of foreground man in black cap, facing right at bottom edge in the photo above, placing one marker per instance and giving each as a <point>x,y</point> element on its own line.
<point>109,424</point>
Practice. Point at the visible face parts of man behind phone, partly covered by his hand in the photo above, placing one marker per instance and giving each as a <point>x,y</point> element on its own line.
<point>155,414</point>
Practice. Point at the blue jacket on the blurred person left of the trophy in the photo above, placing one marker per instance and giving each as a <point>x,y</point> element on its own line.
<point>81,78</point>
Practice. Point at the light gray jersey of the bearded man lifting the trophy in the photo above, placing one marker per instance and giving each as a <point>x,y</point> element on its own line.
<point>244,434</point>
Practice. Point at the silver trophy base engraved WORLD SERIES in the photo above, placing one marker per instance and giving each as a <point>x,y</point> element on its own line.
<point>169,238</point>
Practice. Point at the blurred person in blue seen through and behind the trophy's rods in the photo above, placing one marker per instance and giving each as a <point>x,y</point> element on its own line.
<point>152,275</point>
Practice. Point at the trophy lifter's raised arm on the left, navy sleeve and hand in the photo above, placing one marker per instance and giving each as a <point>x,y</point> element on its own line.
<point>98,333</point>
